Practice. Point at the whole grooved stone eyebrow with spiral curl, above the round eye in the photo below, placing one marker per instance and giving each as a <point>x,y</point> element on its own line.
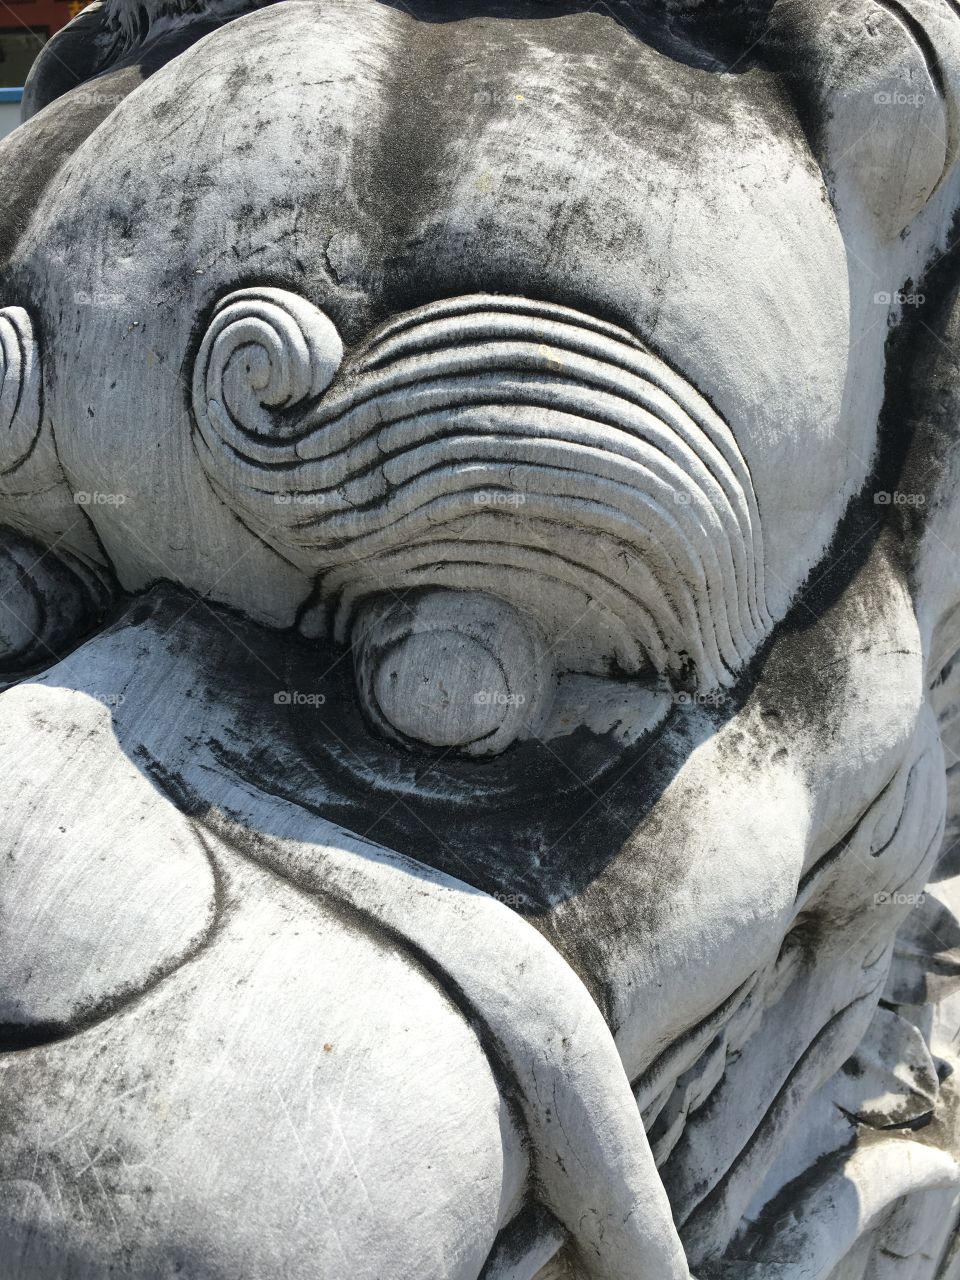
<point>469,437</point>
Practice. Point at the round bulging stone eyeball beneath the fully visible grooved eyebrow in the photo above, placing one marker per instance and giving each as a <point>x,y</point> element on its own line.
<point>452,671</point>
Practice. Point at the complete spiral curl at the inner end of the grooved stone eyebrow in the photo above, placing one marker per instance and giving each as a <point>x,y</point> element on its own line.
<point>266,351</point>
